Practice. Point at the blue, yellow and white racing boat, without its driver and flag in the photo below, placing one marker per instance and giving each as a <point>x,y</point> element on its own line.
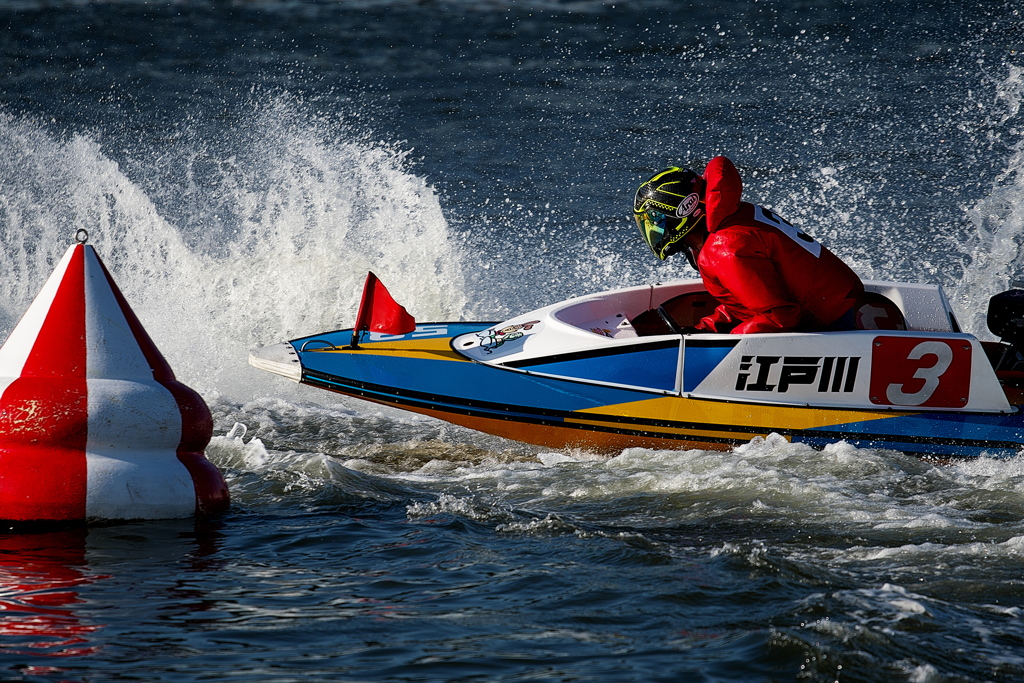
<point>619,369</point>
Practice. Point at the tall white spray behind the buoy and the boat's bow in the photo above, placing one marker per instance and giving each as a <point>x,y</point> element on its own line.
<point>268,238</point>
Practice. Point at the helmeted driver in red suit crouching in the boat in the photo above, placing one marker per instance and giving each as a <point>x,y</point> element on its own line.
<point>766,275</point>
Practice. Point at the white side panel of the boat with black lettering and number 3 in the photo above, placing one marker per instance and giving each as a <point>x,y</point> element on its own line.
<point>863,370</point>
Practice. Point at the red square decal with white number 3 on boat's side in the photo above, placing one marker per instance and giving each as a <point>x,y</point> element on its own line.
<point>930,373</point>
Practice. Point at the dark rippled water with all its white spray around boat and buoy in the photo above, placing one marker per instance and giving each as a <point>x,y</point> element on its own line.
<point>240,167</point>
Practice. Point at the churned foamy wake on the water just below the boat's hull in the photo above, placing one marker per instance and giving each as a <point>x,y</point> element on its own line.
<point>854,504</point>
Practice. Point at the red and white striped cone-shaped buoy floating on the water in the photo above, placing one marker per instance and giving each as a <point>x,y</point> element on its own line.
<point>94,425</point>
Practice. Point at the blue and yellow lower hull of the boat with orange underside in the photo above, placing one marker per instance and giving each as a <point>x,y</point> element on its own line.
<point>425,376</point>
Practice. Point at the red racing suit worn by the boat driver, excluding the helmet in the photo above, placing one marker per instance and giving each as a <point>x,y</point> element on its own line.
<point>766,275</point>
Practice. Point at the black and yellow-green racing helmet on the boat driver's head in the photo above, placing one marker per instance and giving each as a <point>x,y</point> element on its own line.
<point>668,207</point>
